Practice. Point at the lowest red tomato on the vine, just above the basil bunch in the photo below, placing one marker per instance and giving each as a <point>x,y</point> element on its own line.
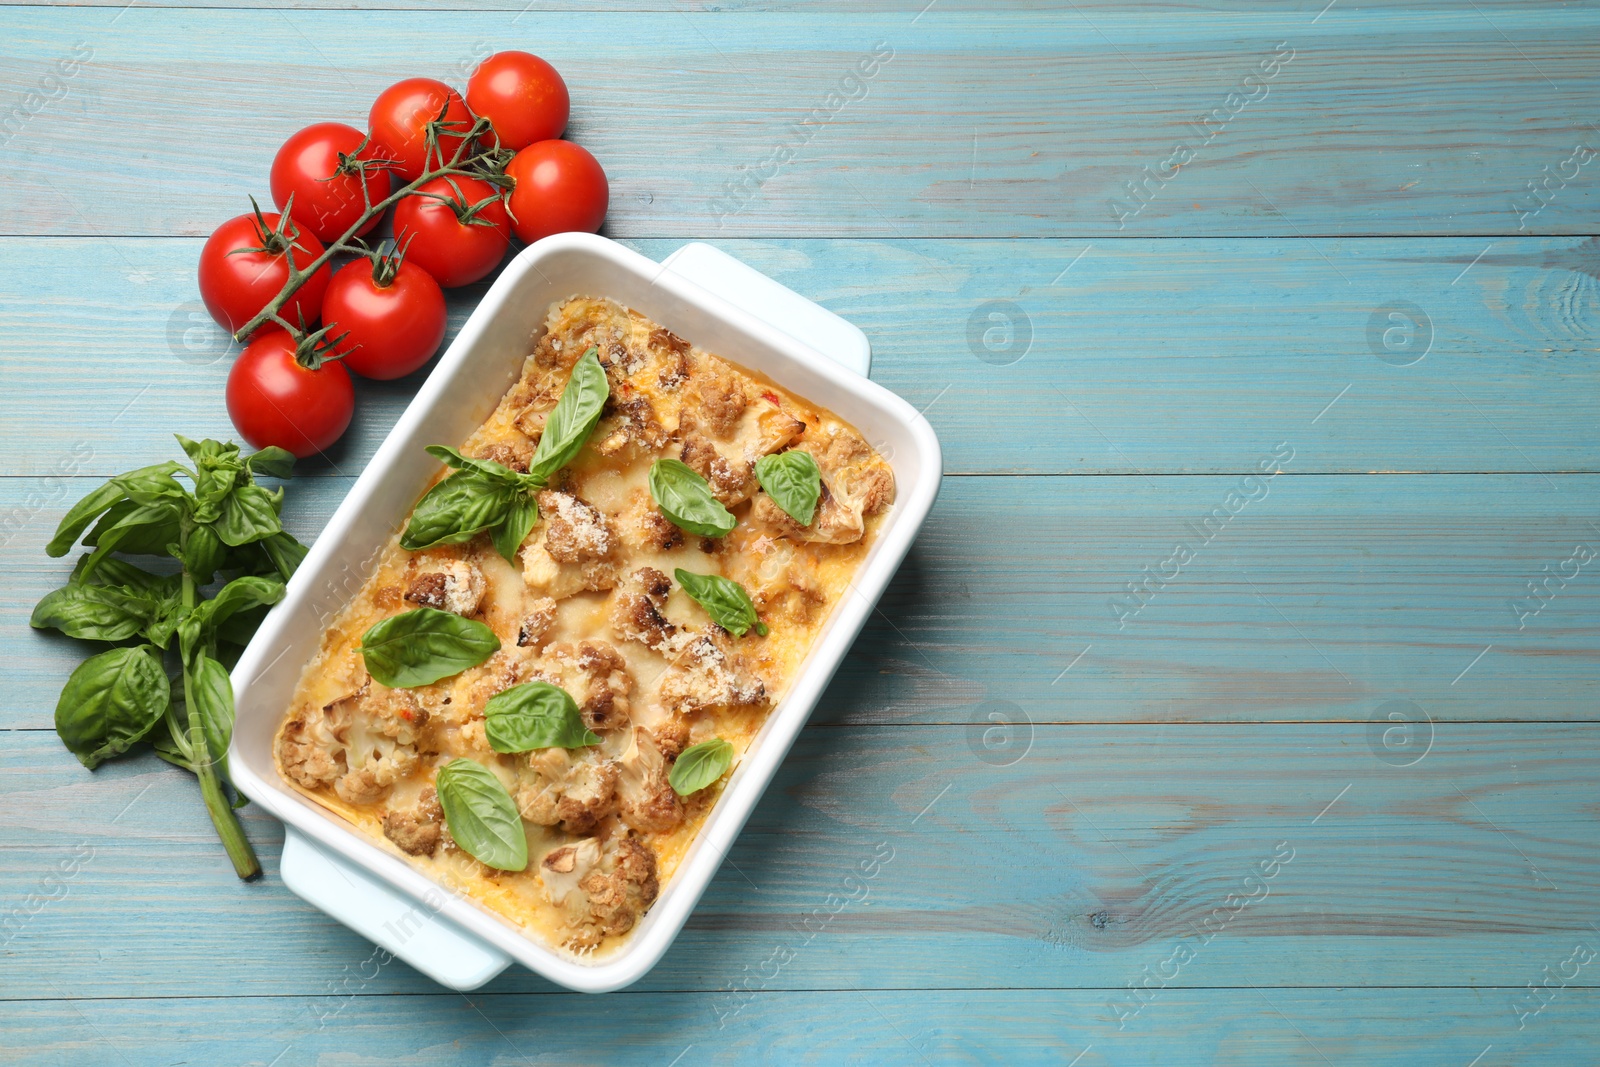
<point>274,399</point>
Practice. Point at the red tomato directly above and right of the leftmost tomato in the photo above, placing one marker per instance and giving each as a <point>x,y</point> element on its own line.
<point>316,169</point>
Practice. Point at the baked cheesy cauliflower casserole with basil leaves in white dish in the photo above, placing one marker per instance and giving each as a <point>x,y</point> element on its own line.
<point>540,692</point>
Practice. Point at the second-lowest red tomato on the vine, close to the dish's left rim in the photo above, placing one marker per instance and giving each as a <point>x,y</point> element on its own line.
<point>393,316</point>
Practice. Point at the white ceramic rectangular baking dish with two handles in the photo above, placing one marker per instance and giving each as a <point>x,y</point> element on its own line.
<point>726,308</point>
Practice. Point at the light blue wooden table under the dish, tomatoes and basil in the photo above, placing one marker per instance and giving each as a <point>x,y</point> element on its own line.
<point>1122,255</point>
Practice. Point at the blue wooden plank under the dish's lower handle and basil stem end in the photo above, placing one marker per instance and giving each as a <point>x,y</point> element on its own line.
<point>1100,852</point>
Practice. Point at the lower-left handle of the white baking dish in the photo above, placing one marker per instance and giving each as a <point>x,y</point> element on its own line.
<point>401,925</point>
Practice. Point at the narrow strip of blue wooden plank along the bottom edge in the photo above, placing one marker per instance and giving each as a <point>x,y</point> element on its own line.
<point>1194,1029</point>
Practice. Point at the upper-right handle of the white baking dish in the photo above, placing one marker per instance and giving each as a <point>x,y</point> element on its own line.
<point>778,306</point>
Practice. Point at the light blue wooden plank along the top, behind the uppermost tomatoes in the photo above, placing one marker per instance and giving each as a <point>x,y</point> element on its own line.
<point>1026,124</point>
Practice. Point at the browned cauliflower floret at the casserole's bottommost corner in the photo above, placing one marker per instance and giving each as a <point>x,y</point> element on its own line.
<point>602,889</point>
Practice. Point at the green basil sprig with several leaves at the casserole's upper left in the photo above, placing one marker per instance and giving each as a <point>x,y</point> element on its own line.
<point>489,497</point>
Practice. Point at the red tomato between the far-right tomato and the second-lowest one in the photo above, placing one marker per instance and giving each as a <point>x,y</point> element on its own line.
<point>455,230</point>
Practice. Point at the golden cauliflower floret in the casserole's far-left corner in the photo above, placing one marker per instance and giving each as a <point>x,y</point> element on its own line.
<point>361,745</point>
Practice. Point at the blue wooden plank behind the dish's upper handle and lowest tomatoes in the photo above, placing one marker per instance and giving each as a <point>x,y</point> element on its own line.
<point>1146,356</point>
